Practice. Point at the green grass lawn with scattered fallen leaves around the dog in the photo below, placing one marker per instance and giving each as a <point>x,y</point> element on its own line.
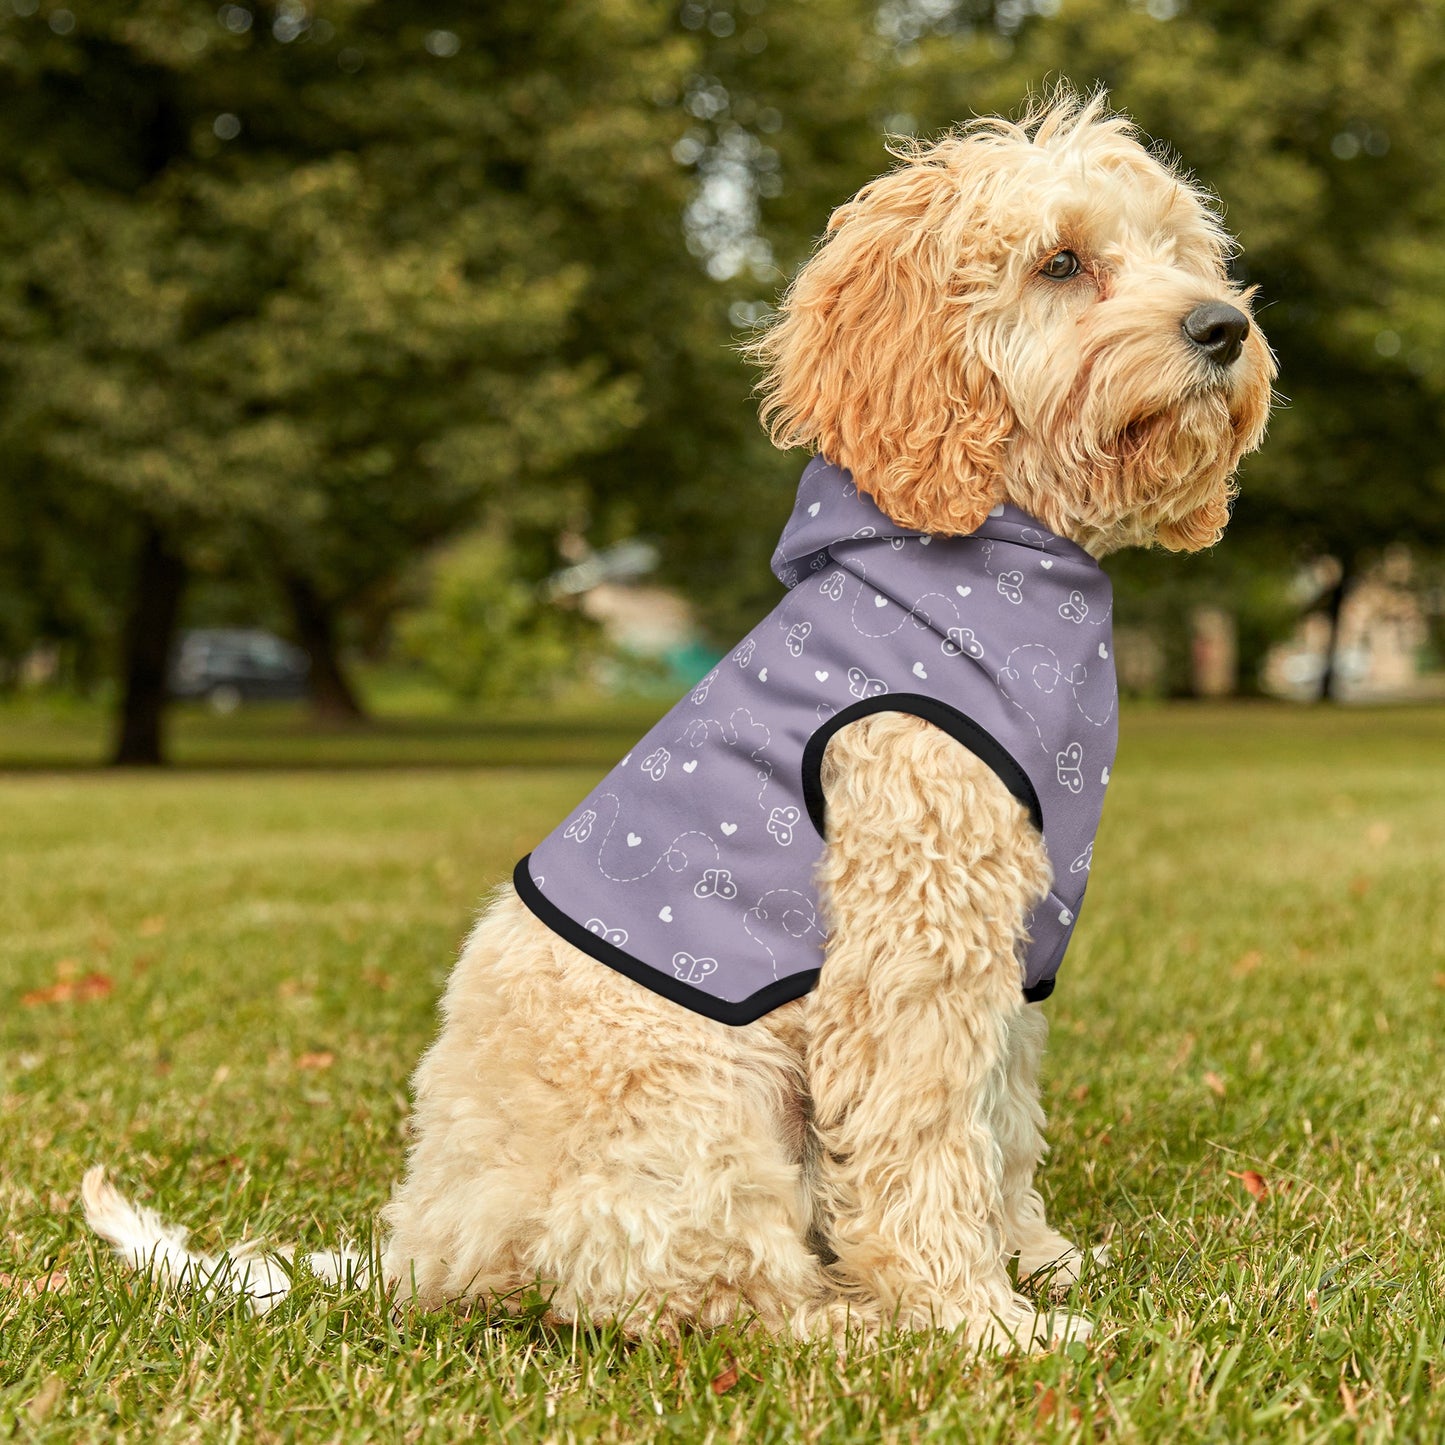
<point>217,980</point>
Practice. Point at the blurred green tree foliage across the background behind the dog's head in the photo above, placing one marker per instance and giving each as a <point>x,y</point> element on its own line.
<point>317,288</point>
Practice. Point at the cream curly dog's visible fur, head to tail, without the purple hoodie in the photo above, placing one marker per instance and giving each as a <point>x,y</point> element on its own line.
<point>1011,314</point>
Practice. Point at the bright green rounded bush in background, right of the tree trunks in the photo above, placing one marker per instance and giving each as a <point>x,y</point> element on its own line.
<point>486,635</point>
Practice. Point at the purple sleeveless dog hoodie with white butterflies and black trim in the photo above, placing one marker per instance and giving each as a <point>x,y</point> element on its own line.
<point>691,866</point>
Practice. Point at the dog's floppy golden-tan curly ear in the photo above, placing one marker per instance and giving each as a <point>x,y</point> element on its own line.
<point>872,359</point>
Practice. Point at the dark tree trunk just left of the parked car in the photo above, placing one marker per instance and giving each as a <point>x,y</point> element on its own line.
<point>151,626</point>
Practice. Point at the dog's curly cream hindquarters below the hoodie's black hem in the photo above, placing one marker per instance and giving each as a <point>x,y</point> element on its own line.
<point>579,1135</point>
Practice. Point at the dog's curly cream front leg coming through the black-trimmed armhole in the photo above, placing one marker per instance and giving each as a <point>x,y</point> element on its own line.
<point>930,874</point>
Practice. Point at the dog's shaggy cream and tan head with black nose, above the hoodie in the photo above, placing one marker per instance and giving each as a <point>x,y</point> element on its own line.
<point>1038,313</point>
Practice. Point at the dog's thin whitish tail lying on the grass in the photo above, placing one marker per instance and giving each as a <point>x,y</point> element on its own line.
<point>147,1243</point>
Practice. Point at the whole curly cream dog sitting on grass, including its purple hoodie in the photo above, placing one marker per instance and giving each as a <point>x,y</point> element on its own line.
<point>1024,336</point>
